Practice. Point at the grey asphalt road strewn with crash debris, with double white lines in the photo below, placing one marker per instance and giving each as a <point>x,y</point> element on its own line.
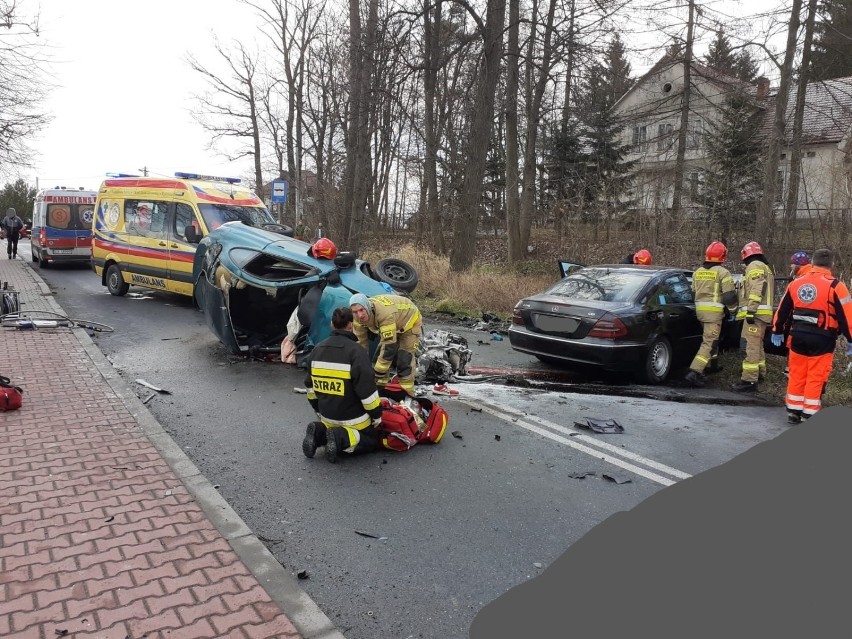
<point>457,524</point>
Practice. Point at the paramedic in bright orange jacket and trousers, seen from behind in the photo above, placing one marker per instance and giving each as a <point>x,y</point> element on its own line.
<point>815,309</point>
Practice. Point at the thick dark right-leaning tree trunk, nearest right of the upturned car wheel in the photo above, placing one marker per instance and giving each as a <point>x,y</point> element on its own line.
<point>470,202</point>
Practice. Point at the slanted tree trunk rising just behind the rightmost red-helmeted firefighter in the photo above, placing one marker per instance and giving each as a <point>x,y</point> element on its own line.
<point>776,135</point>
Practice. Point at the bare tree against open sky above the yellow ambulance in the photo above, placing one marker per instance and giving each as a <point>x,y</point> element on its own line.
<point>230,109</point>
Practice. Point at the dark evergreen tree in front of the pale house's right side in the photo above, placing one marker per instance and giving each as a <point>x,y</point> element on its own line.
<point>733,182</point>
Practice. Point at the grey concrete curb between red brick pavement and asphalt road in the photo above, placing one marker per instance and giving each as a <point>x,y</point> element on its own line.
<point>282,587</point>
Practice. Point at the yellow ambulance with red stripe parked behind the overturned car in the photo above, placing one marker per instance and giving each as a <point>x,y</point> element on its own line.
<point>146,229</point>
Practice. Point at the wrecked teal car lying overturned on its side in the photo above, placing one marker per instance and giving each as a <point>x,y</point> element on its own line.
<point>253,283</point>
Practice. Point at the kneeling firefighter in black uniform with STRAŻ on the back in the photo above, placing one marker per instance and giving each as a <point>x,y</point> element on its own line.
<point>342,391</point>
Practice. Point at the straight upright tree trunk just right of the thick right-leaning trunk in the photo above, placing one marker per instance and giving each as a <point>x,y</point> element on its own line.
<point>513,57</point>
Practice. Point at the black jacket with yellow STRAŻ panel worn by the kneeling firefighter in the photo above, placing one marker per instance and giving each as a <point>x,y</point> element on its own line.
<point>340,382</point>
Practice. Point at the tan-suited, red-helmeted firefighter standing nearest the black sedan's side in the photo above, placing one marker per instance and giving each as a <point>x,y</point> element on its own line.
<point>714,292</point>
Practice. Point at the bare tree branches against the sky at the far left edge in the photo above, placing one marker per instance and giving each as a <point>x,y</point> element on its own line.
<point>22,85</point>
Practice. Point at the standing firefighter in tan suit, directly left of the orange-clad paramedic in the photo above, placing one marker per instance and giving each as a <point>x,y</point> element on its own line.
<point>756,295</point>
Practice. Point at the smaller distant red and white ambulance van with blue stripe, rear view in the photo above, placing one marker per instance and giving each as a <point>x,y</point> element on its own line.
<point>62,226</point>
